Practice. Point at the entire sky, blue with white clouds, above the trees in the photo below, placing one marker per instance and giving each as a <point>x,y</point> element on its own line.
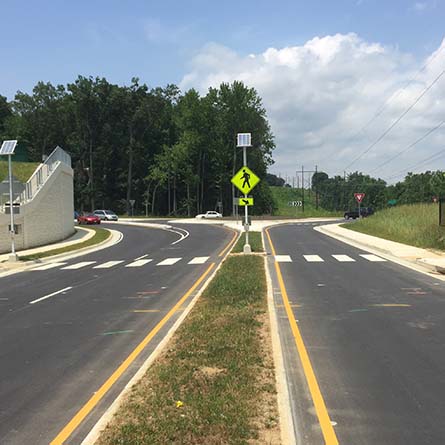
<point>348,85</point>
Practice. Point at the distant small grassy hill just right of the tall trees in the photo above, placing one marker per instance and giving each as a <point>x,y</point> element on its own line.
<point>283,195</point>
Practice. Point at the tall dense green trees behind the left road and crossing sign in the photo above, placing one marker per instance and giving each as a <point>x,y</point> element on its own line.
<point>171,152</point>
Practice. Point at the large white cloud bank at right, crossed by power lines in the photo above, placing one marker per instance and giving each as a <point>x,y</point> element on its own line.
<point>320,94</point>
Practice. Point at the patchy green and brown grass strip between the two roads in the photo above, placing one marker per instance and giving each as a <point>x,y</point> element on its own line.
<point>215,382</point>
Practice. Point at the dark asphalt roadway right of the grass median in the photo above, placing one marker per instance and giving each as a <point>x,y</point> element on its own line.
<point>374,333</point>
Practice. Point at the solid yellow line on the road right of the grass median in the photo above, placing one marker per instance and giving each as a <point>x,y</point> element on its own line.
<point>320,406</point>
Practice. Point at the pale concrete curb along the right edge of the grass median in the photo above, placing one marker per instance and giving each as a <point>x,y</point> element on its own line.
<point>283,398</point>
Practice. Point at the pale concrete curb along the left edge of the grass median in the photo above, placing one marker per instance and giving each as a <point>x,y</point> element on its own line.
<point>100,425</point>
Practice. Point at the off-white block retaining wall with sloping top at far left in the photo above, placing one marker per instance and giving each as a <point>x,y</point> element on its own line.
<point>48,218</point>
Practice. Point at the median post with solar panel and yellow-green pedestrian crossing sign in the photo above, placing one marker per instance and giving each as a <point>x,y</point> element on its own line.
<point>245,180</point>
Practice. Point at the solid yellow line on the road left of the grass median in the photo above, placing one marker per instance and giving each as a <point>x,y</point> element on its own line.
<point>95,399</point>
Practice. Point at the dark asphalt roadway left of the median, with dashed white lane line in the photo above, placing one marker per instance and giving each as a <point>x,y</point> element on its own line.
<point>64,330</point>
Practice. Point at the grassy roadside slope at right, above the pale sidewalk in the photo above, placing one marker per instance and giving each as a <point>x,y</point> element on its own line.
<point>416,225</point>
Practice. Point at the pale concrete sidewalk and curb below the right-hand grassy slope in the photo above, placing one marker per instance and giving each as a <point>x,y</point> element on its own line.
<point>417,264</point>
